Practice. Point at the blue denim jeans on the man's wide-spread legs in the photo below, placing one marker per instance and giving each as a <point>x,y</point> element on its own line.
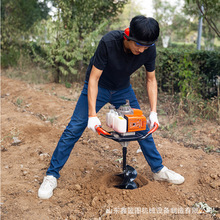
<point>79,121</point>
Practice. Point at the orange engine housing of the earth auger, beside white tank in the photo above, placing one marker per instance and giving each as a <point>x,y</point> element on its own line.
<point>136,121</point>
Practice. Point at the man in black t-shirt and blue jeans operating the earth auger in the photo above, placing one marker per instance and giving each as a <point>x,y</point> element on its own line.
<point>119,54</point>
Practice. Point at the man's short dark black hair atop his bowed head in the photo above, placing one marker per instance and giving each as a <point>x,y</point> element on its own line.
<point>144,29</point>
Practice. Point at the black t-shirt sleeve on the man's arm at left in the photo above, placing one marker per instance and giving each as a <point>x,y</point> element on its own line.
<point>100,56</point>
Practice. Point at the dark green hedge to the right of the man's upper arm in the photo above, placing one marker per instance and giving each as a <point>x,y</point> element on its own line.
<point>188,72</point>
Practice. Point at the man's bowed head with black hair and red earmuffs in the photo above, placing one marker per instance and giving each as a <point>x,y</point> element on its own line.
<point>143,33</point>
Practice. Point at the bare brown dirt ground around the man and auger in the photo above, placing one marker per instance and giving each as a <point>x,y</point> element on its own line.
<point>33,119</point>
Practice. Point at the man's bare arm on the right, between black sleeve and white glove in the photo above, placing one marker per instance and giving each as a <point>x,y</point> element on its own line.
<point>152,90</point>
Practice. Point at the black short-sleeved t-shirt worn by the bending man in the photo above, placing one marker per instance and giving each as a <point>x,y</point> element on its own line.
<point>117,65</point>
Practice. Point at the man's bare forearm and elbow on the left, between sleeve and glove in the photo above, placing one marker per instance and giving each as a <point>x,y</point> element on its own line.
<point>93,90</point>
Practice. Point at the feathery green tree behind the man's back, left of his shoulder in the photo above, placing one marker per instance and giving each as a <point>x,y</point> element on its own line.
<point>75,32</point>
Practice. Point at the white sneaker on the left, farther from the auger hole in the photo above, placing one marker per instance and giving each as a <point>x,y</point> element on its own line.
<point>46,189</point>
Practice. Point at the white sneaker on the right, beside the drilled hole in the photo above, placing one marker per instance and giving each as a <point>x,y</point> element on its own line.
<point>168,175</point>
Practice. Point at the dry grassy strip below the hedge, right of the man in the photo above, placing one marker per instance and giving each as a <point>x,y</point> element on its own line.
<point>188,121</point>
